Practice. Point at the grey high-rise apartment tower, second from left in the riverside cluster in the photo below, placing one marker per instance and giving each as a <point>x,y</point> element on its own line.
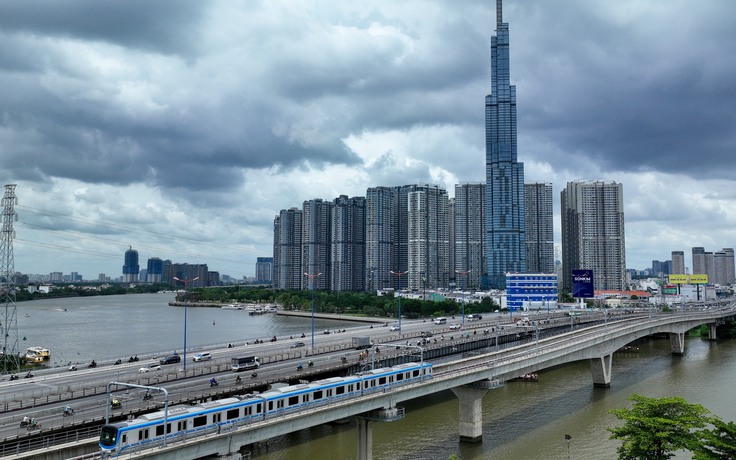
<point>316,243</point>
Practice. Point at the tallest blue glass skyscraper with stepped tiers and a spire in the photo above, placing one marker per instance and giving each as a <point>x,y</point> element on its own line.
<point>504,174</point>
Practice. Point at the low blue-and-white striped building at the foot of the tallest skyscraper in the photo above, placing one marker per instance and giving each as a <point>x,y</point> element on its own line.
<point>531,291</point>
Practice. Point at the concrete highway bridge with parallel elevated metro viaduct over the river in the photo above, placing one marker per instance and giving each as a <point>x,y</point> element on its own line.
<point>470,362</point>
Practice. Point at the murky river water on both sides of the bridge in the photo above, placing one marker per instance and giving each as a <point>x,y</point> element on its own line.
<point>521,420</point>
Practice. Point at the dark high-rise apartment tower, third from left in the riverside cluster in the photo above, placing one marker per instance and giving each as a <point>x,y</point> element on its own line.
<point>348,244</point>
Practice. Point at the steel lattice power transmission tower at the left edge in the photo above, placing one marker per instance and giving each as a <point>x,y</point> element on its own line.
<point>9,327</point>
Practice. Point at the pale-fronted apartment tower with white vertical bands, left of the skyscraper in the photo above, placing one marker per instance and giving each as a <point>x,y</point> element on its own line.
<point>428,238</point>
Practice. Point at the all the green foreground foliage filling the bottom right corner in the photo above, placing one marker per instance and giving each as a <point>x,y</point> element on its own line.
<point>656,428</point>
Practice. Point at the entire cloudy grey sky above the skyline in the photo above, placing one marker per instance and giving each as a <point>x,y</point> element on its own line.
<point>182,128</point>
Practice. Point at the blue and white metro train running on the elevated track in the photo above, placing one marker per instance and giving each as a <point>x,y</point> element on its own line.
<point>183,420</point>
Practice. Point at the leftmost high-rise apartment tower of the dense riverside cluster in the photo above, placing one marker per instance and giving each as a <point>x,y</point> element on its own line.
<point>287,249</point>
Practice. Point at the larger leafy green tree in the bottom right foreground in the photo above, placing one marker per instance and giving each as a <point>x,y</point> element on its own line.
<point>657,427</point>
